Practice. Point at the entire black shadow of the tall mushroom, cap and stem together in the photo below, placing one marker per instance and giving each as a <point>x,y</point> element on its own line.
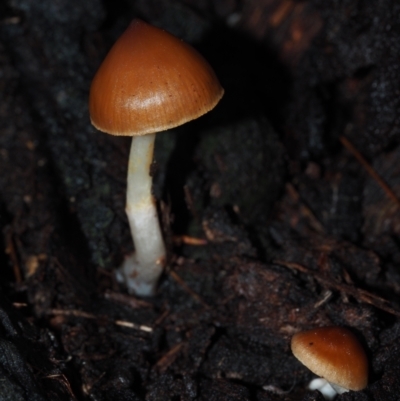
<point>256,84</point>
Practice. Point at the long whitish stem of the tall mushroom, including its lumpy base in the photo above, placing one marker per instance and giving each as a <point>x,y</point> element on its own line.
<point>142,270</point>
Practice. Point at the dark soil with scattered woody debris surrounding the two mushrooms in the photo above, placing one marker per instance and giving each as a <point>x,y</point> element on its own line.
<point>291,231</point>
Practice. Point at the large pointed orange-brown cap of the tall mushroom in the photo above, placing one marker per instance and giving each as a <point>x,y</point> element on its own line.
<point>151,81</point>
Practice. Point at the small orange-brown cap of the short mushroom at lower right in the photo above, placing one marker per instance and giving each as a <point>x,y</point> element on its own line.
<point>333,353</point>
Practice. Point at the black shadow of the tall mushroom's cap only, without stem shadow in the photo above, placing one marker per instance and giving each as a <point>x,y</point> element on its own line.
<point>255,81</point>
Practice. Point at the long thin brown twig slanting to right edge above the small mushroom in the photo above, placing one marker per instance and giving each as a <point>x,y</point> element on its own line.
<point>357,293</point>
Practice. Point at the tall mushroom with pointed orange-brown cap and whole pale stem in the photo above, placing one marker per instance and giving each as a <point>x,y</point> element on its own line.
<point>150,81</point>
